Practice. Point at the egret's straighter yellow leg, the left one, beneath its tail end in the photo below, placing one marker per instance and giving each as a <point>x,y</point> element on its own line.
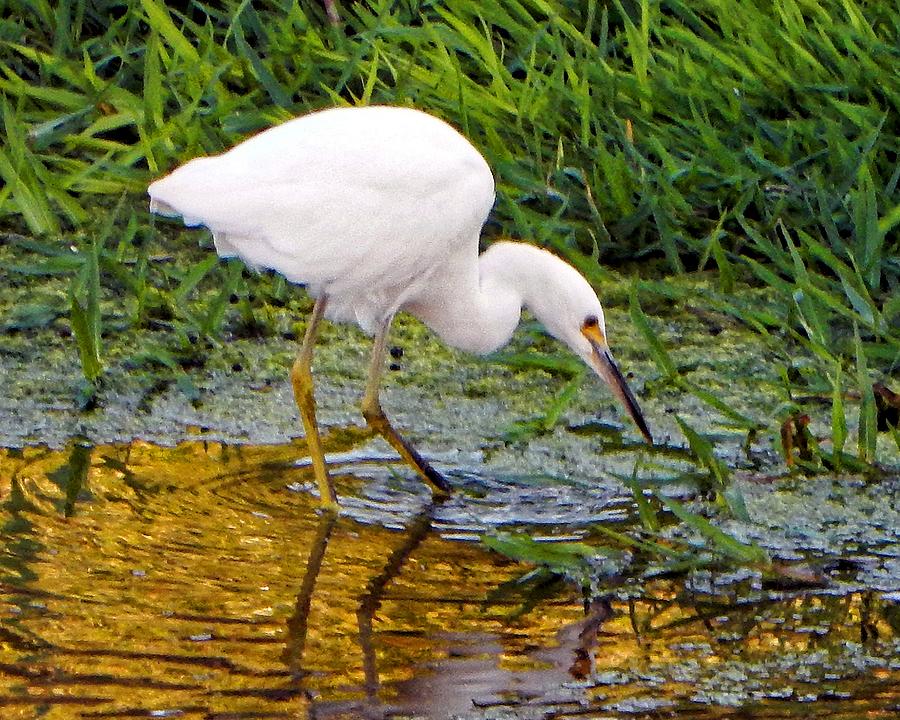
<point>301,379</point>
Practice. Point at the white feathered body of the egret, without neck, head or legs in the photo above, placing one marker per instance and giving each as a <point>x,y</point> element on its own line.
<point>363,204</point>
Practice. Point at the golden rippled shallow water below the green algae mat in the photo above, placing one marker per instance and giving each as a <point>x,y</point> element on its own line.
<point>200,581</point>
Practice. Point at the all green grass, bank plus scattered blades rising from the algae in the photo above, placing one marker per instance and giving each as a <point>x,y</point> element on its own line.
<point>755,139</point>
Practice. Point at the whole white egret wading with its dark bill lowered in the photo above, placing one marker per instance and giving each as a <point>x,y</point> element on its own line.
<point>376,210</point>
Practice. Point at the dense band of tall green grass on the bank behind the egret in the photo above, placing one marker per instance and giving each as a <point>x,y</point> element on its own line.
<point>647,127</point>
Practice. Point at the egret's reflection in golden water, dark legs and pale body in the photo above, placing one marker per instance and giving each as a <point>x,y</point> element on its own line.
<point>470,675</point>
